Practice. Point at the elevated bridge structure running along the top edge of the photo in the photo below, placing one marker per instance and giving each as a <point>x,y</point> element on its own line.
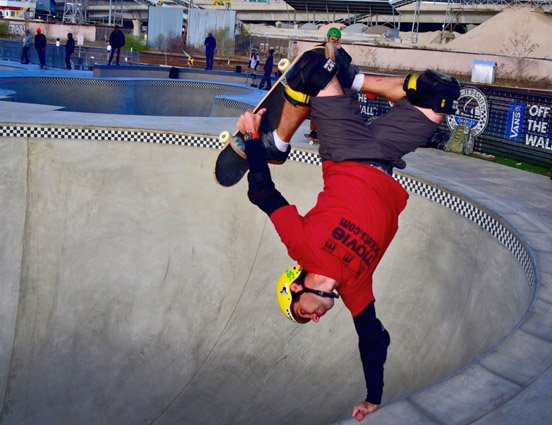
<point>401,14</point>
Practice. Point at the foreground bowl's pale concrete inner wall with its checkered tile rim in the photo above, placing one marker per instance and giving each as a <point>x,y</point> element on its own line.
<point>137,291</point>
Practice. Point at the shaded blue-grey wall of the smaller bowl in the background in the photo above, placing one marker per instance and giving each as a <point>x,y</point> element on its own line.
<point>130,96</point>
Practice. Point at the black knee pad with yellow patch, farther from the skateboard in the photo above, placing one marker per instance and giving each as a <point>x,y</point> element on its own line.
<point>433,90</point>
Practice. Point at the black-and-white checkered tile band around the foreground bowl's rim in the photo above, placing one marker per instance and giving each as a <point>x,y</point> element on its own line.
<point>472,212</point>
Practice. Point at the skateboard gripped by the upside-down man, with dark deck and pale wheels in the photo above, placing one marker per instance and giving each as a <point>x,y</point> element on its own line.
<point>230,166</point>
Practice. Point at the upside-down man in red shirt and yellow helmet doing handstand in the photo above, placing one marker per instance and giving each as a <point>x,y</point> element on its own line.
<point>341,240</point>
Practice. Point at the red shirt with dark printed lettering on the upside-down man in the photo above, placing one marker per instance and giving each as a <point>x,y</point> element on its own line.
<point>345,235</point>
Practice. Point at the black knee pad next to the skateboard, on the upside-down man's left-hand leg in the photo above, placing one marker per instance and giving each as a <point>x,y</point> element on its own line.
<point>311,73</point>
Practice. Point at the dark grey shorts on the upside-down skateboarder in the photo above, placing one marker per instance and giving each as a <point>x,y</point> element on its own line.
<point>343,136</point>
